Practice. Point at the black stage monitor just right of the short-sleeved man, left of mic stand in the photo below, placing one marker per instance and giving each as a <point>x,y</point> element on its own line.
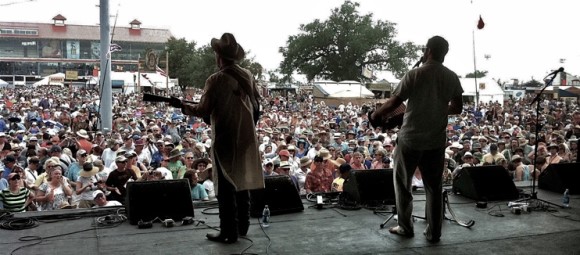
<point>485,183</point>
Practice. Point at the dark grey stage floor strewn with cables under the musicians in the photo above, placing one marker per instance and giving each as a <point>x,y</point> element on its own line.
<point>320,231</point>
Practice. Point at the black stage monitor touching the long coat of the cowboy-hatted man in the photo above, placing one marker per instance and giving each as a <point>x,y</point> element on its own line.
<point>280,194</point>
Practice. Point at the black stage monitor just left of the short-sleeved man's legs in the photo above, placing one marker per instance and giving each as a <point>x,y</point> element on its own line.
<point>369,187</point>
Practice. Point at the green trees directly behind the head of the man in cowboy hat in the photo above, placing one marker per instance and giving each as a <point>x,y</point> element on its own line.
<point>192,65</point>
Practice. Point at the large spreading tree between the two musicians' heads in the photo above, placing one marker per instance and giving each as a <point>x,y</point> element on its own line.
<point>339,47</point>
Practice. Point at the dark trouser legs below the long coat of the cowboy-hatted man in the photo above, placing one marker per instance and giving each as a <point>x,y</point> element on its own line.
<point>234,207</point>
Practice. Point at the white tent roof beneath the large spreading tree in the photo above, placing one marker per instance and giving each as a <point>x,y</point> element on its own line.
<point>343,89</point>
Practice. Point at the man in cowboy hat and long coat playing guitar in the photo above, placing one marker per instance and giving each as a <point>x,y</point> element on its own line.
<point>230,99</point>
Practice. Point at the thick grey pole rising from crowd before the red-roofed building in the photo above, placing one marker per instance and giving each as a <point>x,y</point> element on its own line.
<point>105,108</point>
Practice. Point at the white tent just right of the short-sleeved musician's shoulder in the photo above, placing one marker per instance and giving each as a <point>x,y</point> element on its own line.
<point>488,89</point>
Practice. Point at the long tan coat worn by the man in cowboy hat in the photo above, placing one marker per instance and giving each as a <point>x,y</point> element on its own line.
<point>234,142</point>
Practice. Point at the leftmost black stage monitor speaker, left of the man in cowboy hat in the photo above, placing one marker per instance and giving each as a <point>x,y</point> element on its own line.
<point>166,199</point>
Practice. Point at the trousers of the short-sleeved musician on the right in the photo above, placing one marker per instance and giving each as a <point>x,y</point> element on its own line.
<point>431,165</point>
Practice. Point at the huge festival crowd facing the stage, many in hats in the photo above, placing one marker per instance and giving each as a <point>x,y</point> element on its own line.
<point>54,155</point>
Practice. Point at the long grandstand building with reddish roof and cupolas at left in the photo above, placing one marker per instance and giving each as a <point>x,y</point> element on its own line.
<point>29,51</point>
